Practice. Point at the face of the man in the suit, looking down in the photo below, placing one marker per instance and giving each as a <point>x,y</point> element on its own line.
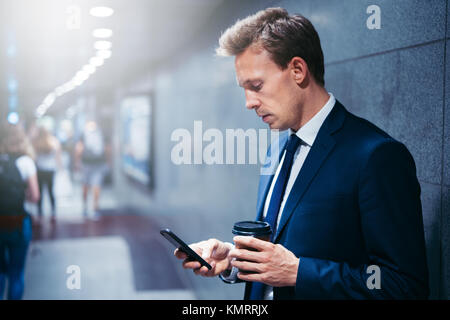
<point>273,93</point>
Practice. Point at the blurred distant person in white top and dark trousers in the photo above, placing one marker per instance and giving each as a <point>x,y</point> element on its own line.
<point>48,160</point>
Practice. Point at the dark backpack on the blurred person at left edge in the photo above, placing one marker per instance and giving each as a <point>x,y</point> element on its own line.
<point>12,187</point>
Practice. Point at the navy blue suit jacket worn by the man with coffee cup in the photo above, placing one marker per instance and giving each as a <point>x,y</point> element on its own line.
<point>355,203</point>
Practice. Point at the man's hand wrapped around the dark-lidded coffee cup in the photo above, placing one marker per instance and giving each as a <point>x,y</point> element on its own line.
<point>271,264</point>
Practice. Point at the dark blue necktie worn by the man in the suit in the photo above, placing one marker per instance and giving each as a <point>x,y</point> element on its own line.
<point>257,291</point>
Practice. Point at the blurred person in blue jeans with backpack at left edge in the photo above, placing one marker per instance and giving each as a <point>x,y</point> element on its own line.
<point>18,183</point>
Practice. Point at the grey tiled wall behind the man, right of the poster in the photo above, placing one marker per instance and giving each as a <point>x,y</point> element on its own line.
<point>396,77</point>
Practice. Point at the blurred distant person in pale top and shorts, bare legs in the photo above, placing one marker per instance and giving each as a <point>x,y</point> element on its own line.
<point>91,156</point>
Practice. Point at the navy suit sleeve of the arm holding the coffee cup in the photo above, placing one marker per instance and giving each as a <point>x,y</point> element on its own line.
<point>392,227</point>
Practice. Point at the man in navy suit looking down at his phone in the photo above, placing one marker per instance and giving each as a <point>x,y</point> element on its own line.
<point>344,199</point>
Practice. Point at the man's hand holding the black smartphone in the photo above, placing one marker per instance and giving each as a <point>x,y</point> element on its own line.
<point>213,251</point>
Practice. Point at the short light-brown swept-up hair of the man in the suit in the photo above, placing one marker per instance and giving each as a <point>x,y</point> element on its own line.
<point>282,35</point>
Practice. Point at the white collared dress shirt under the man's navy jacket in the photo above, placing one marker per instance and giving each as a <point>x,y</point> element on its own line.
<point>307,133</point>
